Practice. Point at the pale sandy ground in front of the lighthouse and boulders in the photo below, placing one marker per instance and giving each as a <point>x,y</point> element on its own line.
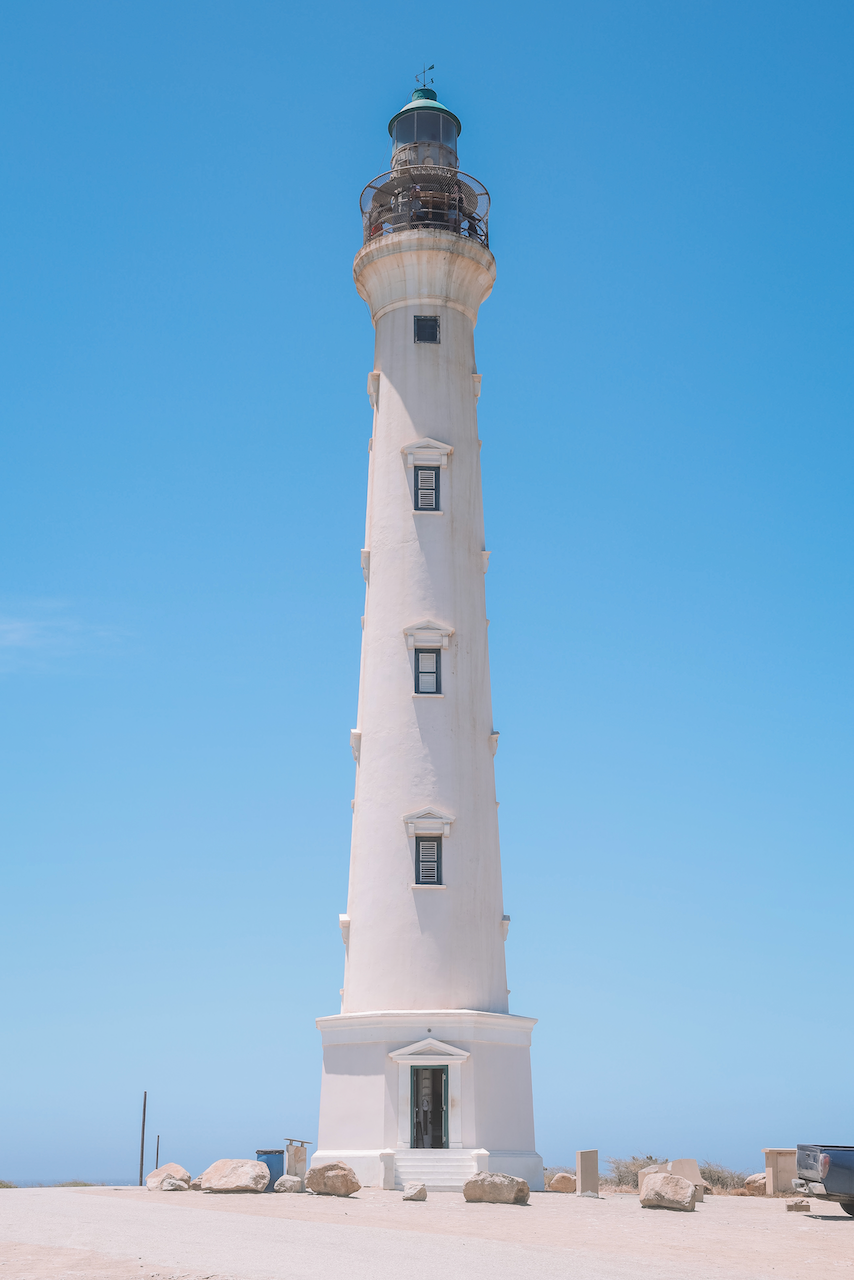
<point>113,1235</point>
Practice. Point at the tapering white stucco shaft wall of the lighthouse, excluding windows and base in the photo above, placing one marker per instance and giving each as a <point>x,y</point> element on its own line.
<point>418,948</point>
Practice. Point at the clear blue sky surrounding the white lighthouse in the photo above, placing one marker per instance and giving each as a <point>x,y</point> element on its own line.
<point>668,458</point>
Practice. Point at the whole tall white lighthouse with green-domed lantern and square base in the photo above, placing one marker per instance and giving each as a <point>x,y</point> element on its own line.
<point>427,1075</point>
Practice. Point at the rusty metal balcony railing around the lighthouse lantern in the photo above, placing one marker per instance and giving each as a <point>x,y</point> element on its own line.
<point>413,198</point>
